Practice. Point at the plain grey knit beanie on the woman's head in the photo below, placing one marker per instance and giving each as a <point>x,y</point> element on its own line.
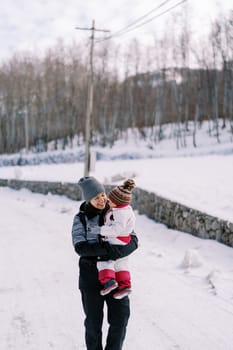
<point>90,187</point>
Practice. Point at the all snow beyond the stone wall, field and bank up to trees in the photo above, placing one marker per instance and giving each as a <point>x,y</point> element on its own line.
<point>200,177</point>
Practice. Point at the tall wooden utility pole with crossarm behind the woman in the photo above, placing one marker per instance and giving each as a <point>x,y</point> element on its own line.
<point>90,90</point>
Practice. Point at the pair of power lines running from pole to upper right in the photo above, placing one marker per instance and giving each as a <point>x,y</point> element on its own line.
<point>125,30</point>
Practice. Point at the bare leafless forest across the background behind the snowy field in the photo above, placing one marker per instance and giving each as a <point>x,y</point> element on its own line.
<point>175,80</point>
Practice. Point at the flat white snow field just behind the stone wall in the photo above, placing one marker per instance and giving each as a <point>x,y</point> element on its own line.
<point>202,182</point>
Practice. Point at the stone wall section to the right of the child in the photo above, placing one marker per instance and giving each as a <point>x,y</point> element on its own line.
<point>183,218</point>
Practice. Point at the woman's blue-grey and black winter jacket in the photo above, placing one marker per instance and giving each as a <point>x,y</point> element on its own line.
<point>85,231</point>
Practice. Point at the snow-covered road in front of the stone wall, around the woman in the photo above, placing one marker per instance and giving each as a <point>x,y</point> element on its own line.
<point>182,286</point>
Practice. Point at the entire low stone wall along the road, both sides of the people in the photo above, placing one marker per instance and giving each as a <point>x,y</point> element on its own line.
<point>172,214</point>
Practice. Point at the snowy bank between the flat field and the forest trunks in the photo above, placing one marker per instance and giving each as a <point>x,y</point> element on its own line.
<point>136,144</point>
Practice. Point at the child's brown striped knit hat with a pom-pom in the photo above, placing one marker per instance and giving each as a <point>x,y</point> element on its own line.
<point>122,194</point>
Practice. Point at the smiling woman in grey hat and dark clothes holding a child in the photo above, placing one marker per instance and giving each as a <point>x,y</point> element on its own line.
<point>85,236</point>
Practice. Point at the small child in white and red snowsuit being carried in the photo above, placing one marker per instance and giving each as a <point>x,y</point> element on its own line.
<point>119,223</point>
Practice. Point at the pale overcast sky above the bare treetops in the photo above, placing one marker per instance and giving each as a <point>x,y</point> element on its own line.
<point>37,24</point>
